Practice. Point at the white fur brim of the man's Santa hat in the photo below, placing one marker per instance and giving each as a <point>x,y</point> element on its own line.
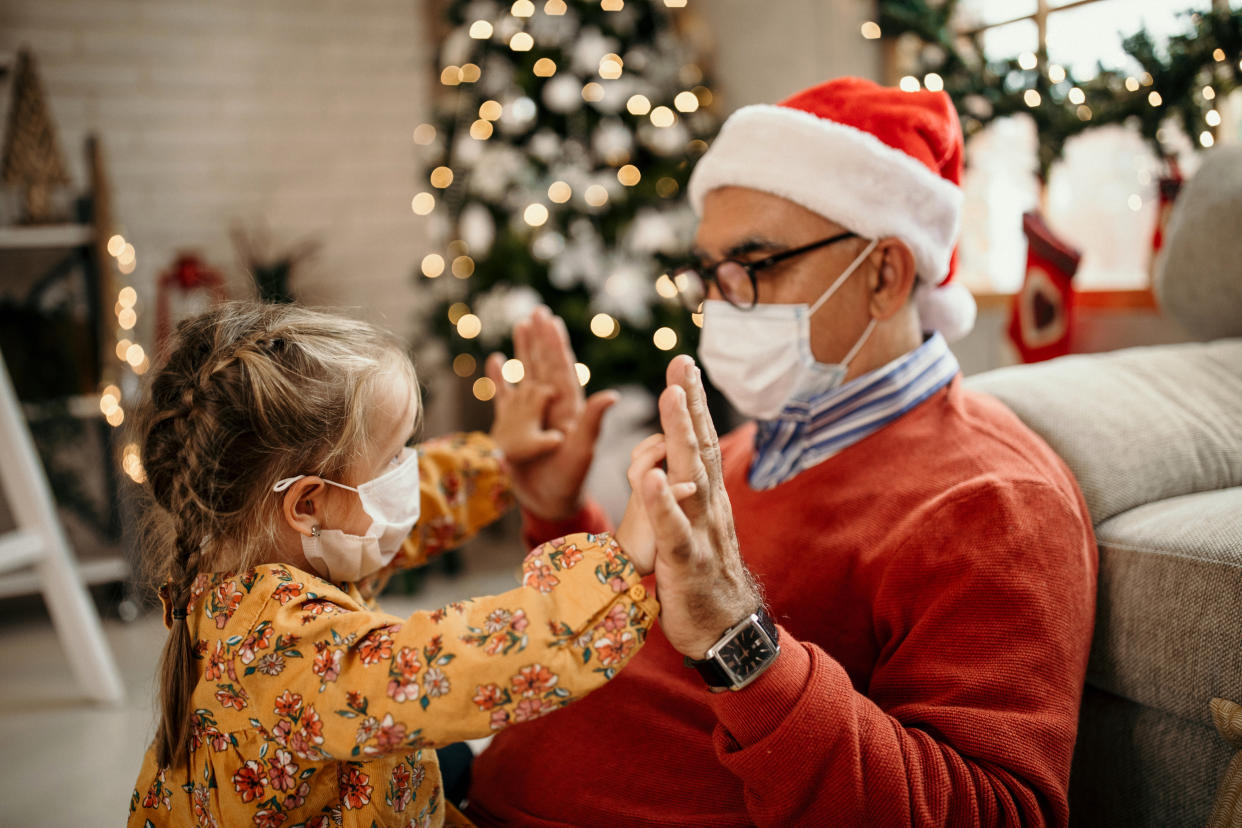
<point>839,172</point>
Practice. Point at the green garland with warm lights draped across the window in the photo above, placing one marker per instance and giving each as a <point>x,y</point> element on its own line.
<point>986,90</point>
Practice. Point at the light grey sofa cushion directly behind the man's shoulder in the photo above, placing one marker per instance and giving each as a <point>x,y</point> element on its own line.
<point>1138,425</point>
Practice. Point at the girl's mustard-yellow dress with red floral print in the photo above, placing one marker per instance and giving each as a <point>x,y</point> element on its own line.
<point>316,709</point>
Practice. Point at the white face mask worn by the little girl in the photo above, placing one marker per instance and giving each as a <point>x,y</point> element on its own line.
<point>391,501</point>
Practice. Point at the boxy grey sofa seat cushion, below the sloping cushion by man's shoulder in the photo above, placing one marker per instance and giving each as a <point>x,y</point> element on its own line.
<point>1168,620</point>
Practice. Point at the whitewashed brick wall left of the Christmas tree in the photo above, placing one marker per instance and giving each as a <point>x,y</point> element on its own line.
<point>295,112</point>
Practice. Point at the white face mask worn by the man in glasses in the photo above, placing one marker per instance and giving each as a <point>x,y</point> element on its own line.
<point>761,358</point>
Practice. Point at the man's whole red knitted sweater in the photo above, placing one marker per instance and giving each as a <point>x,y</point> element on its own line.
<point>936,589</point>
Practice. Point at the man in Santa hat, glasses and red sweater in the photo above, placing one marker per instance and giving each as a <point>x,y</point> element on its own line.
<point>891,625</point>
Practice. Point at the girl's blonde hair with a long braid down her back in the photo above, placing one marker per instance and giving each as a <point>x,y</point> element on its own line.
<point>249,394</point>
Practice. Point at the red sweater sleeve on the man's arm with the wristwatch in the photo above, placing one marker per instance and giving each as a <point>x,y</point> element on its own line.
<point>983,623</point>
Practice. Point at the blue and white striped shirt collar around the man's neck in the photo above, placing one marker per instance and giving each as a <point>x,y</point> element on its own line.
<point>813,429</point>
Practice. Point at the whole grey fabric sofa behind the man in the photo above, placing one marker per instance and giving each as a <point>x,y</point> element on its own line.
<point>1154,436</point>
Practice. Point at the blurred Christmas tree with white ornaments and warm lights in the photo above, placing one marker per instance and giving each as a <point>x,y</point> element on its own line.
<point>557,164</point>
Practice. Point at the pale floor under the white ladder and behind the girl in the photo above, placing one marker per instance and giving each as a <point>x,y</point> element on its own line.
<point>73,763</point>
